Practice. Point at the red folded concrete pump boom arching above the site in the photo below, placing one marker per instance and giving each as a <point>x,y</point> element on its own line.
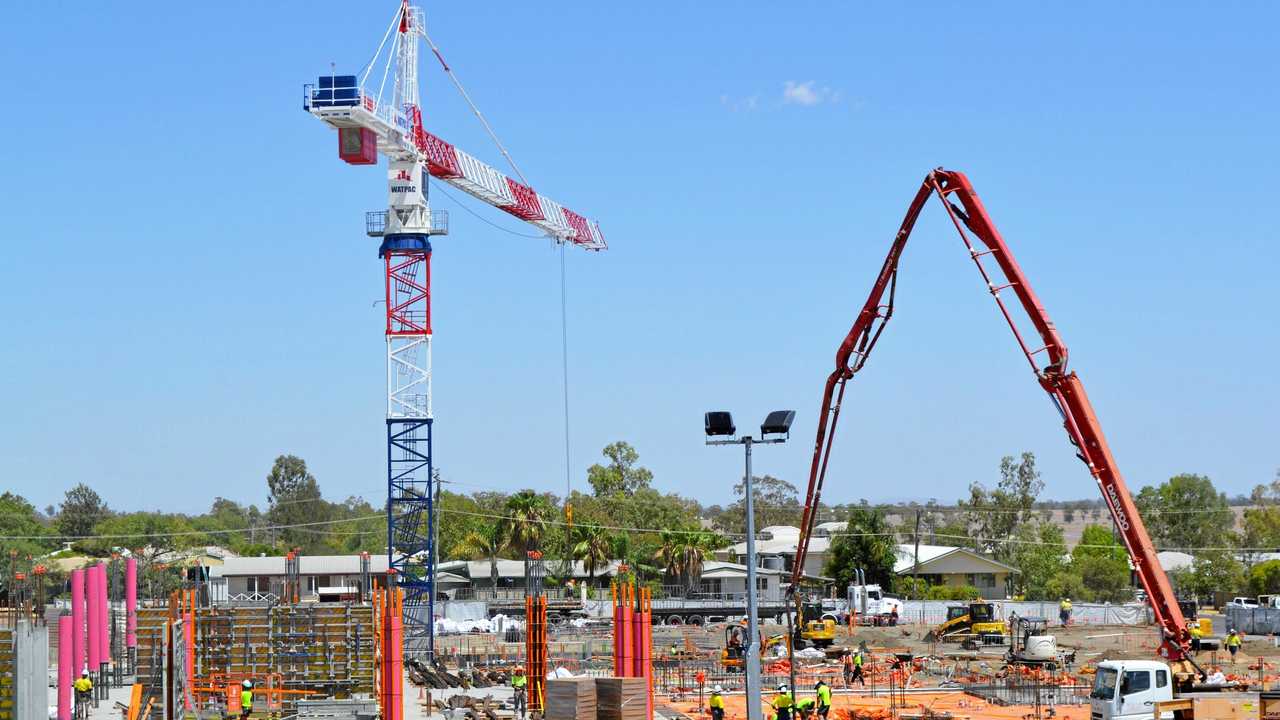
<point>1049,363</point>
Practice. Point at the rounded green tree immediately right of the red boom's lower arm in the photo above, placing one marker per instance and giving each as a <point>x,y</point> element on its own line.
<point>1187,513</point>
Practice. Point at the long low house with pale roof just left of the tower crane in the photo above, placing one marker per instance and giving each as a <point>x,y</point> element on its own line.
<point>323,577</point>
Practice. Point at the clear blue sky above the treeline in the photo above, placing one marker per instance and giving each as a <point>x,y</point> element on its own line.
<point>188,290</point>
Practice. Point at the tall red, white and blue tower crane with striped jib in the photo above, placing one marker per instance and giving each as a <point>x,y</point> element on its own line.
<point>374,120</point>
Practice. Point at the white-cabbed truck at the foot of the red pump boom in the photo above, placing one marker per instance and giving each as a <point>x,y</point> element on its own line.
<point>1130,690</point>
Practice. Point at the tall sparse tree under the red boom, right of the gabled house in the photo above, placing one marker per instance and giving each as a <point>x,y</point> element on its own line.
<point>996,514</point>
